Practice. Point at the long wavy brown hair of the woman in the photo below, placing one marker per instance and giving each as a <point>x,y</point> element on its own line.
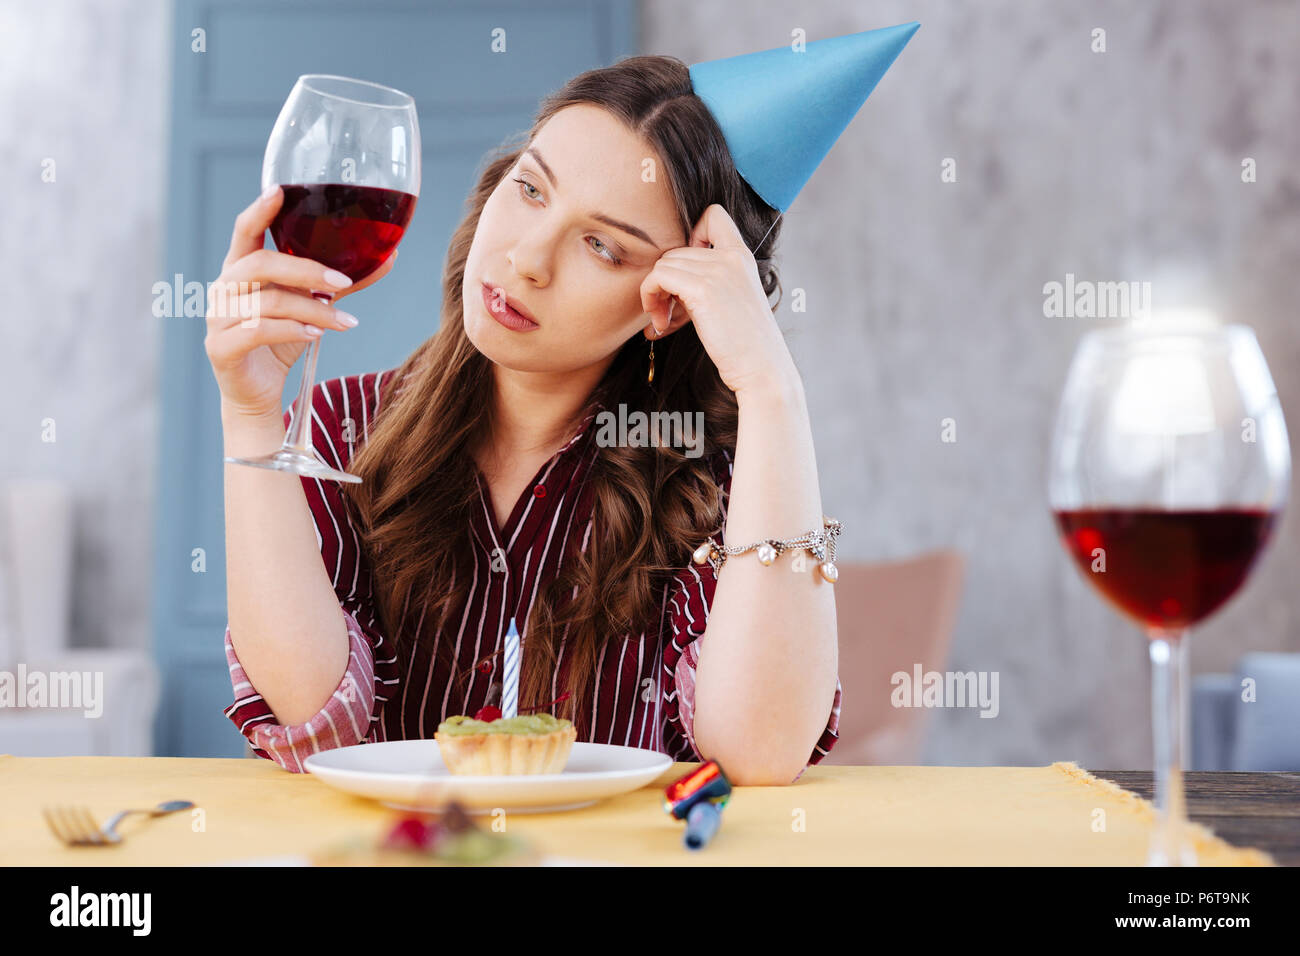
<point>652,505</point>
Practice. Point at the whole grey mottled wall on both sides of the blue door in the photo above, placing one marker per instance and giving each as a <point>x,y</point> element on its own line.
<point>1117,166</point>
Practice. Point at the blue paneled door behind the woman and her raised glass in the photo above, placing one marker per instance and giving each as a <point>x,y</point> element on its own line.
<point>233,66</point>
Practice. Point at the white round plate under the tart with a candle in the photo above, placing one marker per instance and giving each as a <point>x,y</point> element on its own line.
<point>410,776</point>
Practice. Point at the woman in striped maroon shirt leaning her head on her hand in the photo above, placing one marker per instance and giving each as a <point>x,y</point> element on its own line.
<point>614,243</point>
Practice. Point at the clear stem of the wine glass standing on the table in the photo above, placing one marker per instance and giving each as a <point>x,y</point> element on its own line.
<point>1169,846</point>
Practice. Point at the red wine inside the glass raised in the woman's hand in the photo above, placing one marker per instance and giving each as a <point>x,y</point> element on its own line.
<point>341,226</point>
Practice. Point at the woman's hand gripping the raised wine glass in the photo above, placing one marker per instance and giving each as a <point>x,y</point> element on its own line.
<point>252,357</point>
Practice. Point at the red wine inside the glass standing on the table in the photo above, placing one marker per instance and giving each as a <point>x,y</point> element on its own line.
<point>1167,569</point>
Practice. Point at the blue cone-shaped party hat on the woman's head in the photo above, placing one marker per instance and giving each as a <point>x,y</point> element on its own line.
<point>782,110</point>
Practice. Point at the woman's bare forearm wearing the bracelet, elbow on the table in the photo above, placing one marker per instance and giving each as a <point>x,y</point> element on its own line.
<point>770,659</point>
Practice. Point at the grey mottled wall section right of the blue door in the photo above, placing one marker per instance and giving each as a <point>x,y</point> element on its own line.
<point>1117,166</point>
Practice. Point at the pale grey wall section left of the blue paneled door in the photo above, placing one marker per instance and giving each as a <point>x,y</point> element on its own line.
<point>86,85</point>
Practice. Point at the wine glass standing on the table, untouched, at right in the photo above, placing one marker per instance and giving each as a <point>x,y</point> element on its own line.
<point>1169,471</point>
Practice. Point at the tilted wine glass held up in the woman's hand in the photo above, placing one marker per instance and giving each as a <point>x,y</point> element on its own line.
<point>348,155</point>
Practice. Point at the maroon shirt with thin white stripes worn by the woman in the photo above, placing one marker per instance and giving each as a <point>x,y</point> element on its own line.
<point>645,685</point>
